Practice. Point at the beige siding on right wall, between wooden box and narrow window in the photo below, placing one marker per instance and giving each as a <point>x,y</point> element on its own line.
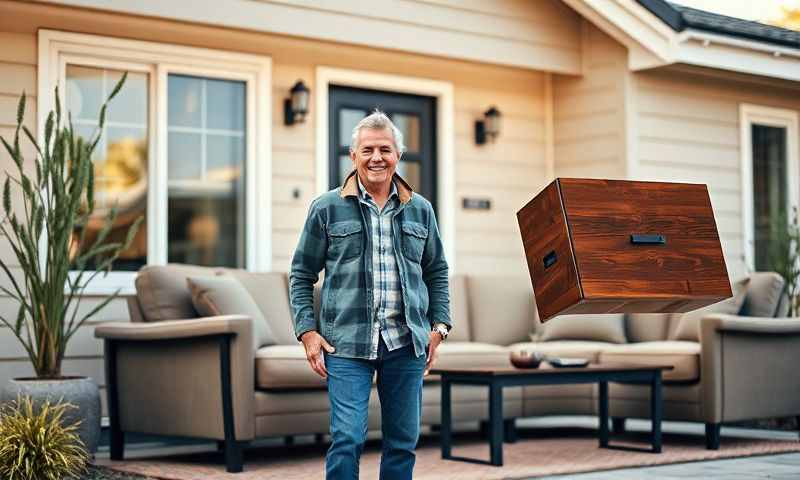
<point>688,131</point>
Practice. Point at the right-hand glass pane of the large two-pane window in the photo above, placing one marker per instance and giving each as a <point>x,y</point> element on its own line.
<point>206,203</point>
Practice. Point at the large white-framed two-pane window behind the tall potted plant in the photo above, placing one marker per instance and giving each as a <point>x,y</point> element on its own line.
<point>183,144</point>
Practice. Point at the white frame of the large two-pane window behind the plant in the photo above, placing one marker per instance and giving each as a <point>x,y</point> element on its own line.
<point>57,48</point>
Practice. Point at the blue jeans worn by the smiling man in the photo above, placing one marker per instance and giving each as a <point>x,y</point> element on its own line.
<point>400,393</point>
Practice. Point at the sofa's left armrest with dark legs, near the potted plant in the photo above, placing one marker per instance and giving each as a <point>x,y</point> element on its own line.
<point>192,377</point>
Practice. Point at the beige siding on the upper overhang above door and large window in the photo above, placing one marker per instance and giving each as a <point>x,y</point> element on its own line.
<point>540,34</point>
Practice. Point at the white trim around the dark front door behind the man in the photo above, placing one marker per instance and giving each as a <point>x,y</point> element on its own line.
<point>445,135</point>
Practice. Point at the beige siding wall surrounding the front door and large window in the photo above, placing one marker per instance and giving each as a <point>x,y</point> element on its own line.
<point>507,172</point>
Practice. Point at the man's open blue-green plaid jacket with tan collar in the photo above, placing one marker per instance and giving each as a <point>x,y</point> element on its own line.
<point>336,237</point>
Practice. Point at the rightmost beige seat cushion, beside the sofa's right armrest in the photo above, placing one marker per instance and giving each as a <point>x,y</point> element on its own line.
<point>684,357</point>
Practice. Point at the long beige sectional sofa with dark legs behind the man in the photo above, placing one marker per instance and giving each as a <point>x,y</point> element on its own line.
<point>227,377</point>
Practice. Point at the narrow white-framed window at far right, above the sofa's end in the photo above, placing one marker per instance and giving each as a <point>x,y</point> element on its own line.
<point>769,177</point>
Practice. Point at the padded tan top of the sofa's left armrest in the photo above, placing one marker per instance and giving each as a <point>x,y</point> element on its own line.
<point>175,329</point>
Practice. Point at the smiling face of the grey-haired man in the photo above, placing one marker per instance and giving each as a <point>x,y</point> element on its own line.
<point>376,157</point>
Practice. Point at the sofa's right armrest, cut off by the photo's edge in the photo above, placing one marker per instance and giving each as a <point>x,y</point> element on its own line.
<point>748,367</point>
